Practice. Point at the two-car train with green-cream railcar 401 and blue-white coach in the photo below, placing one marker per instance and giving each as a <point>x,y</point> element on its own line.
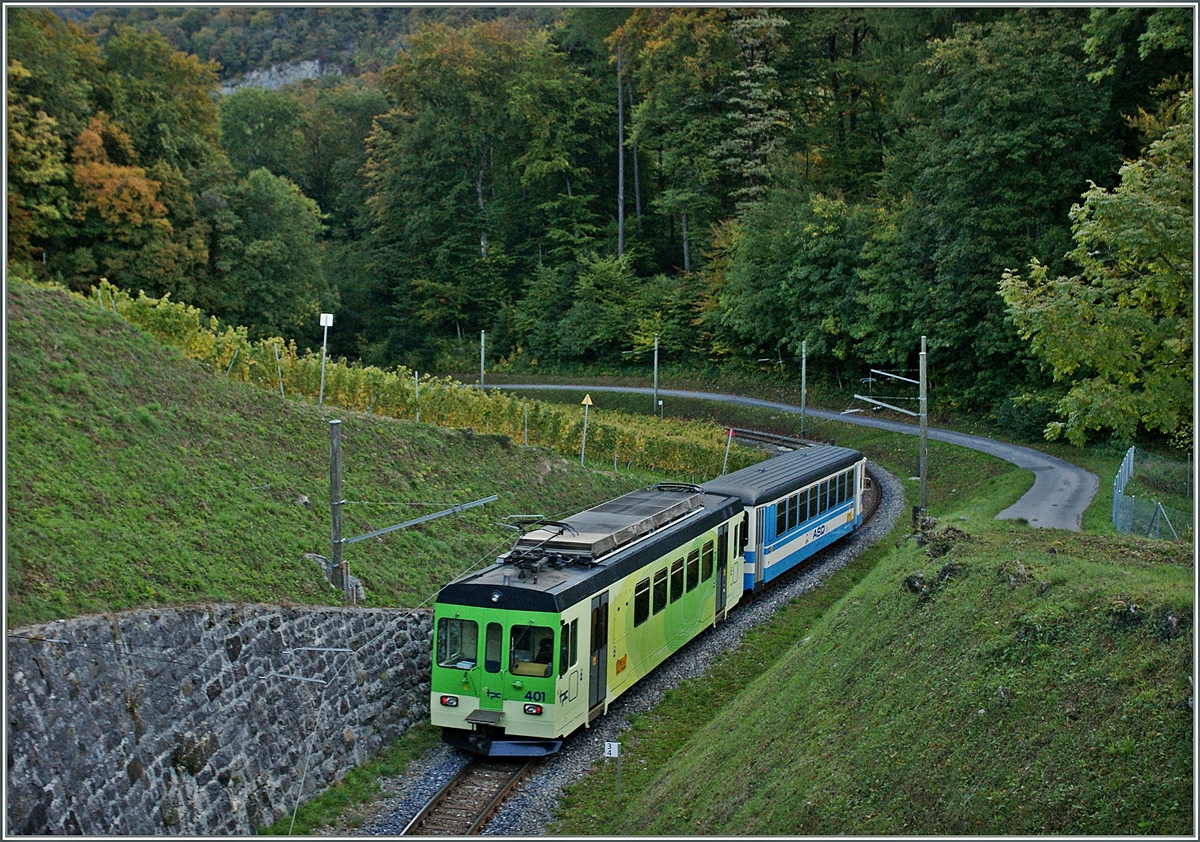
<point>542,642</point>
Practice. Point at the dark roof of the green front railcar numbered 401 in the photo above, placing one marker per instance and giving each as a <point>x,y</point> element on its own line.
<point>560,564</point>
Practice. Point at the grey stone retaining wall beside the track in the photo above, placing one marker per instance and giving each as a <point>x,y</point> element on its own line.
<point>205,720</point>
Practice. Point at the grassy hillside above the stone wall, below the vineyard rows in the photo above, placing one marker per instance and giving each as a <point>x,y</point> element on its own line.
<point>137,479</point>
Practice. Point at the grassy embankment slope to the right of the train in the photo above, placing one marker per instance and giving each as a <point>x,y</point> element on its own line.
<point>997,681</point>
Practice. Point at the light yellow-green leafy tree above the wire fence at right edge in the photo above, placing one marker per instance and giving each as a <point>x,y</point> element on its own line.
<point>1121,333</point>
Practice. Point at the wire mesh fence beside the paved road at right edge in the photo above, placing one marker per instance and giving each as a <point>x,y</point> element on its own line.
<point>1143,491</point>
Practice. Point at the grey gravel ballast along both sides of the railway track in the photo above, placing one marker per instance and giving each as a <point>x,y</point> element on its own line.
<point>531,810</point>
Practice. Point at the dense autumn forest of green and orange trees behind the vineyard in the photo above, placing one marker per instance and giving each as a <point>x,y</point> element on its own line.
<point>1016,184</point>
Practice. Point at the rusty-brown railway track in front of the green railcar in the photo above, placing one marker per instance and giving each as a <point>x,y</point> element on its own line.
<point>465,805</point>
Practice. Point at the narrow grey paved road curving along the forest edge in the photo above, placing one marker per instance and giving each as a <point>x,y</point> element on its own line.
<point>1060,494</point>
